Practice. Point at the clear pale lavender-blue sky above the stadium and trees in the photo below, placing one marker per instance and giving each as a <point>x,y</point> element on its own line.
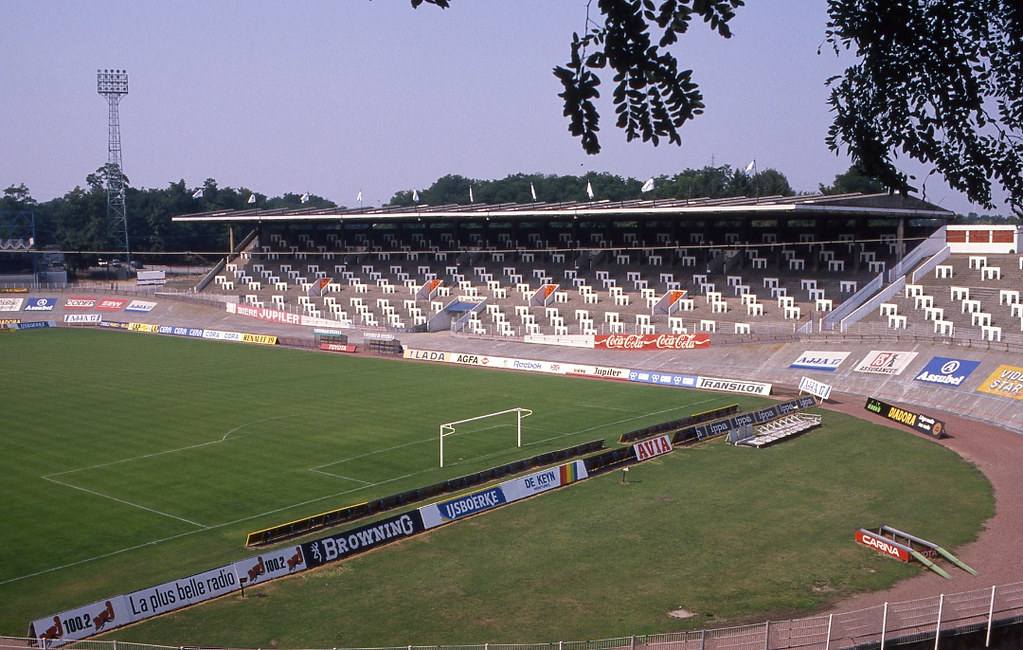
<point>337,98</point>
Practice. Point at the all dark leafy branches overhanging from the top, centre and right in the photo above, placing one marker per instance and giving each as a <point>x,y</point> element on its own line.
<point>940,81</point>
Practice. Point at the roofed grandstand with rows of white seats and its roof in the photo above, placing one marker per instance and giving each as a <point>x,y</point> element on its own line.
<point>733,268</point>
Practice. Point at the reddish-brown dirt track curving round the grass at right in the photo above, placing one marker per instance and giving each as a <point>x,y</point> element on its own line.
<point>996,555</point>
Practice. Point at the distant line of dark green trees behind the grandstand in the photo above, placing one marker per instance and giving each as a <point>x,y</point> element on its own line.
<point>77,223</point>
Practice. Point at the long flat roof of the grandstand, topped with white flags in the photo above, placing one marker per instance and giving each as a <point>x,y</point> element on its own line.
<point>803,206</point>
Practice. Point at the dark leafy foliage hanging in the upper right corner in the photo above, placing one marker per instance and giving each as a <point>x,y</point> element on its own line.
<point>940,81</point>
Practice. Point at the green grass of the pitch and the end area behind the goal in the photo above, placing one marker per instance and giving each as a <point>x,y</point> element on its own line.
<point>130,460</point>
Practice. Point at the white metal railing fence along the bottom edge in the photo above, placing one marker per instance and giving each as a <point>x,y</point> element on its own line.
<point>928,620</point>
